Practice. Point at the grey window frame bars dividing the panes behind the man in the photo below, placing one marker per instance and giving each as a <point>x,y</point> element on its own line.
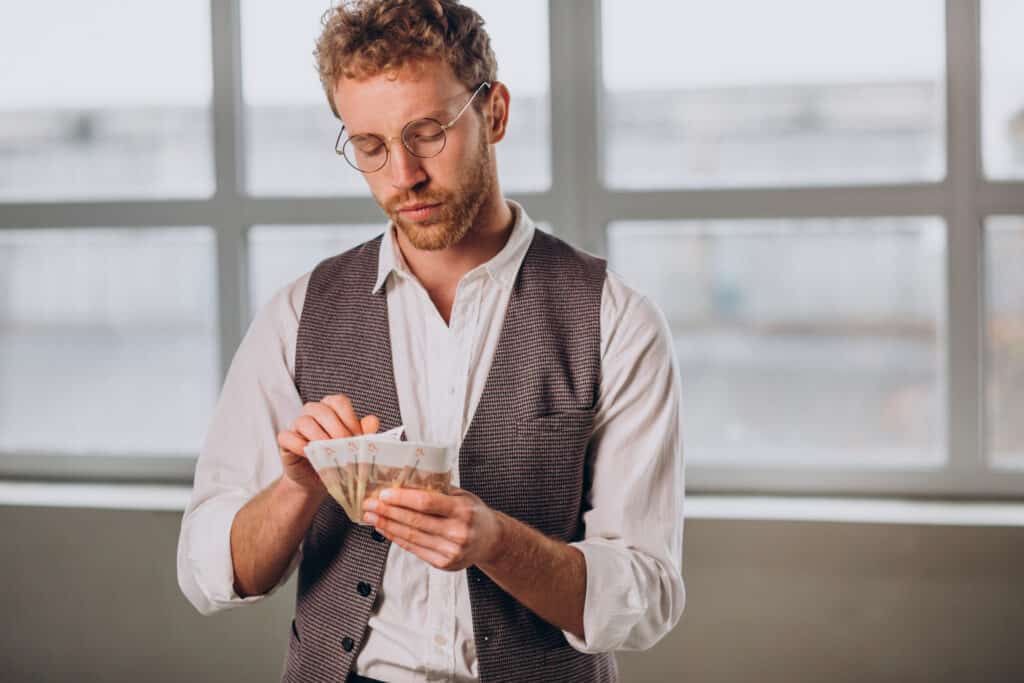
<point>580,207</point>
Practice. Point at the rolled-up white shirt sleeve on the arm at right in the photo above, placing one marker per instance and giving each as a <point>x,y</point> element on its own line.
<point>634,527</point>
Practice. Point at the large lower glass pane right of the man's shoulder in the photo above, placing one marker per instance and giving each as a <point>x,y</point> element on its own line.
<point>810,343</point>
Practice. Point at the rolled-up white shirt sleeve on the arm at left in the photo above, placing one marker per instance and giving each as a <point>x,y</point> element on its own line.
<point>240,454</point>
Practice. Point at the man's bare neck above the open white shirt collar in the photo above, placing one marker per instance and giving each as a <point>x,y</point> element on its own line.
<point>441,271</point>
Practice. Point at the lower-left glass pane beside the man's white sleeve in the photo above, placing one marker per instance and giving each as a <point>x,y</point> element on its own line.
<point>108,340</point>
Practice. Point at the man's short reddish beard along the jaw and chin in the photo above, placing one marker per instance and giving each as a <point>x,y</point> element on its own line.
<point>459,208</point>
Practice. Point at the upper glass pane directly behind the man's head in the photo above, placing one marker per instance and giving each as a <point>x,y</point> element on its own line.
<point>290,129</point>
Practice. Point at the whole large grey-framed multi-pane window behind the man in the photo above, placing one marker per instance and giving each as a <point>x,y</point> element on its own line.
<point>795,184</point>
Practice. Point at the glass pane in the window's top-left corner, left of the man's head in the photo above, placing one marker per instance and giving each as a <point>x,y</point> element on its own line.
<point>102,102</point>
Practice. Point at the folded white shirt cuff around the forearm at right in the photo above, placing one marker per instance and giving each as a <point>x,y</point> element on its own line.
<point>615,602</point>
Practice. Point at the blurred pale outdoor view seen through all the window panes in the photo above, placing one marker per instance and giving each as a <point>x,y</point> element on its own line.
<point>799,341</point>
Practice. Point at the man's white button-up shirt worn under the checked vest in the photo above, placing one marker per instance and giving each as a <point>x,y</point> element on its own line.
<point>423,627</point>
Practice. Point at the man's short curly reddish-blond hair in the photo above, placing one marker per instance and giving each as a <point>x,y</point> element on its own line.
<point>364,38</point>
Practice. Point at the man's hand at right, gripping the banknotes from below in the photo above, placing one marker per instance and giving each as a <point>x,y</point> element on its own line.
<point>450,533</point>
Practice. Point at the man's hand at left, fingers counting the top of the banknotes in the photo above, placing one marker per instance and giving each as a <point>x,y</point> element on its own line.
<point>333,417</point>
